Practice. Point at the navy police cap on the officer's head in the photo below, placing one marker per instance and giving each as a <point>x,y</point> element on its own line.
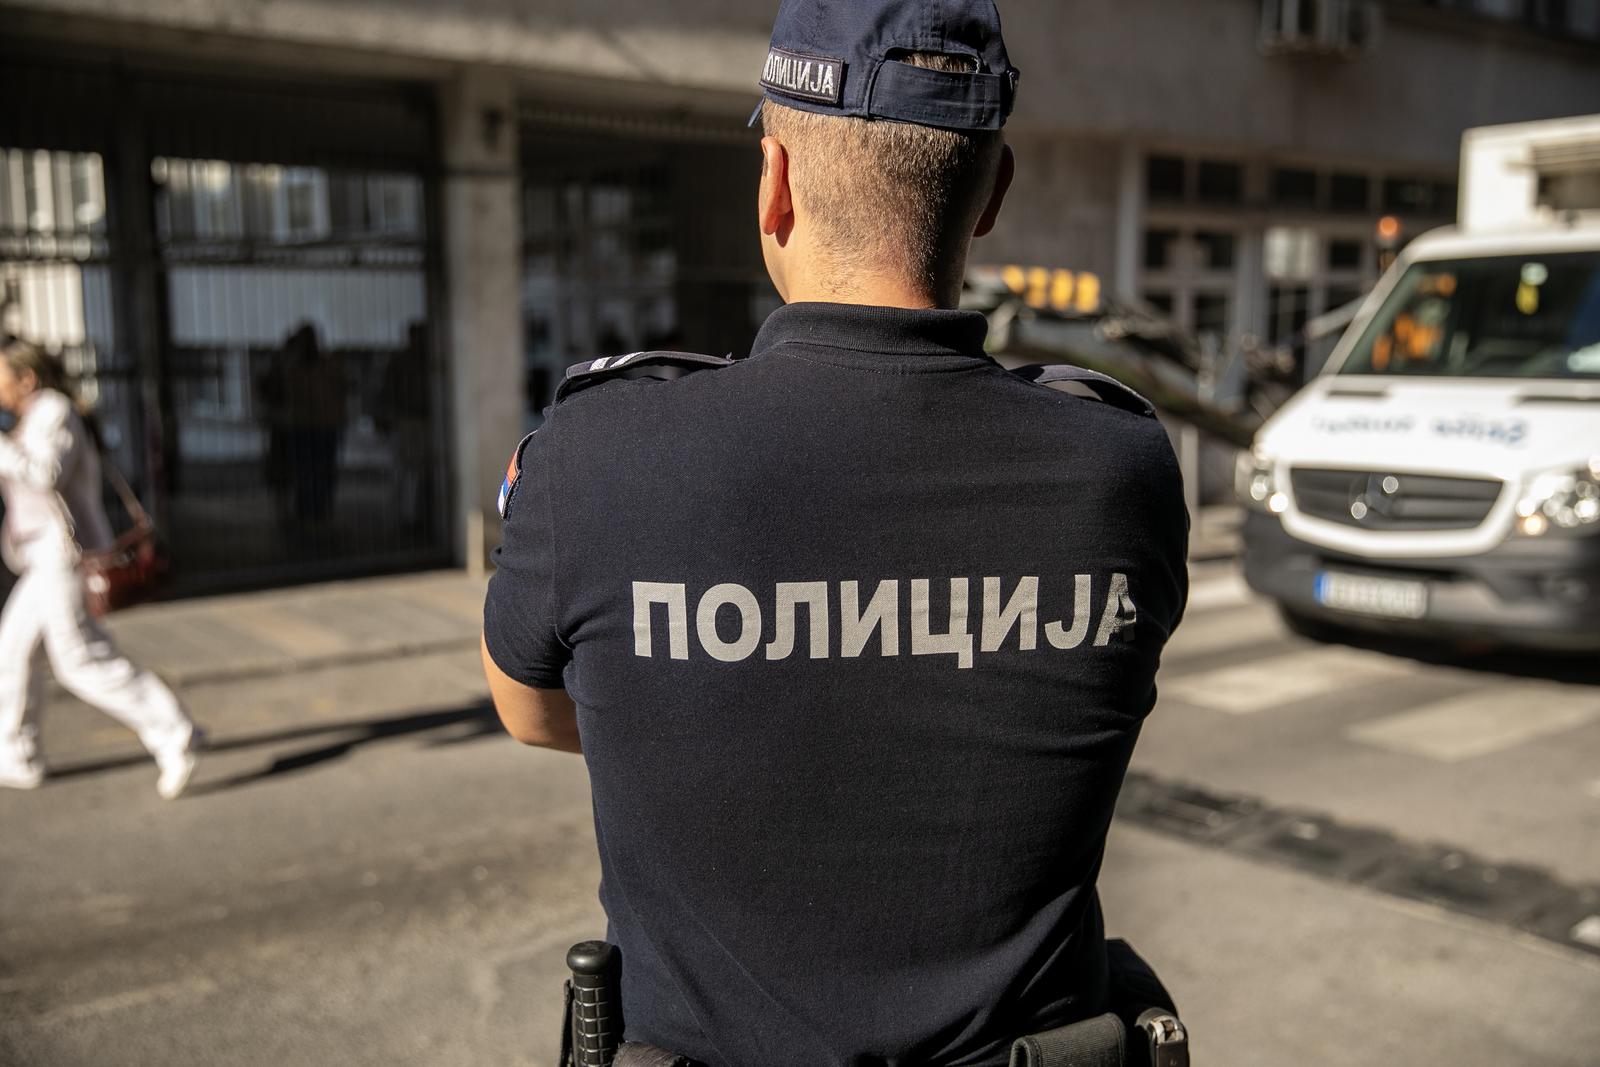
<point>842,58</point>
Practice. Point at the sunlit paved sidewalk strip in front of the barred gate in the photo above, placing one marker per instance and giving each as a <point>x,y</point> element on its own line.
<point>254,636</point>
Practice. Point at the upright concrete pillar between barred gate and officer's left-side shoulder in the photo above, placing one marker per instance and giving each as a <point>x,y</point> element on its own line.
<point>482,298</point>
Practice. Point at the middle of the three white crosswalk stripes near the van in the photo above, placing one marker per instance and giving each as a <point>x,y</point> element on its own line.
<point>1282,681</point>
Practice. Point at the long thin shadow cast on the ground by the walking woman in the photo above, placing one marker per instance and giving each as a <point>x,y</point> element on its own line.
<point>457,725</point>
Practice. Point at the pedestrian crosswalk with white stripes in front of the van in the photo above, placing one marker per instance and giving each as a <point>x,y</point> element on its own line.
<point>1233,657</point>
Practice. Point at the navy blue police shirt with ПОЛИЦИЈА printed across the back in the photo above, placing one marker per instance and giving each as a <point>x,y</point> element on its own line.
<point>862,633</point>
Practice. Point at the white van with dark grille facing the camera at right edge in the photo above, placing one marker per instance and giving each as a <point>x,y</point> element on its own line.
<point>1442,476</point>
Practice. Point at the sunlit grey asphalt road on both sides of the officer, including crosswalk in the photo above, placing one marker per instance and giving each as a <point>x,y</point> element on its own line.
<point>366,873</point>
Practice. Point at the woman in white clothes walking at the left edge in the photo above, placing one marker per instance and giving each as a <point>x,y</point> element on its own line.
<point>50,476</point>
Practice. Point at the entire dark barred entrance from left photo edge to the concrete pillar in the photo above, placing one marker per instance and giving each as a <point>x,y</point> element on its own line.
<point>246,279</point>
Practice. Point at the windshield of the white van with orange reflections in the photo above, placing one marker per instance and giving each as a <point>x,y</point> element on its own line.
<point>1489,318</point>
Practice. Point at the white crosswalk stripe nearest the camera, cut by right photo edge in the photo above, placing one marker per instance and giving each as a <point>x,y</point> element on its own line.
<point>1479,724</point>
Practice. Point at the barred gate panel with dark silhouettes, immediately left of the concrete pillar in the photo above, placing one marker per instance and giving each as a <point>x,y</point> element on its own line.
<point>298,366</point>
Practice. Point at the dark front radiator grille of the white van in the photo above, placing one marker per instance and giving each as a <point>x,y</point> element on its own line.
<point>1386,500</point>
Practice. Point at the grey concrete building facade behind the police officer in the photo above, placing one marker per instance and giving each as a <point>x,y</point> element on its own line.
<point>324,262</point>
